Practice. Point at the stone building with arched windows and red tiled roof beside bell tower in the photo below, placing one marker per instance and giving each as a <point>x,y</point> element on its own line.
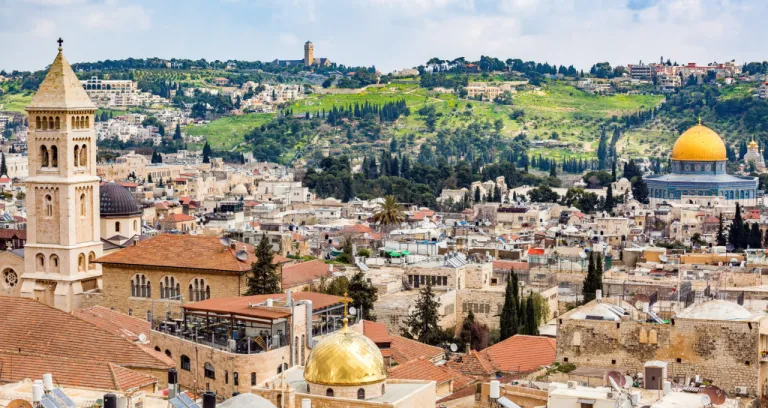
<point>161,271</point>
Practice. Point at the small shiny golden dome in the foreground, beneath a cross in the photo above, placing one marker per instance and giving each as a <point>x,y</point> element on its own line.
<point>345,358</point>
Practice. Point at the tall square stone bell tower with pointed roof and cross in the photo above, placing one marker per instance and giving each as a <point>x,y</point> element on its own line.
<point>62,192</point>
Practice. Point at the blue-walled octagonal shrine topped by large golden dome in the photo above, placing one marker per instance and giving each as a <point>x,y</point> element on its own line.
<point>698,170</point>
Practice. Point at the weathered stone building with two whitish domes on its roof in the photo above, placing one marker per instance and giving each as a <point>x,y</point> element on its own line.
<point>717,340</point>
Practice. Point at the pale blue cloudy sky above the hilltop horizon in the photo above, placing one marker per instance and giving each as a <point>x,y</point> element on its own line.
<point>389,34</point>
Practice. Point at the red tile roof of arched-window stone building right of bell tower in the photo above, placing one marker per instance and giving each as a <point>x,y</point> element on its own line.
<point>185,251</point>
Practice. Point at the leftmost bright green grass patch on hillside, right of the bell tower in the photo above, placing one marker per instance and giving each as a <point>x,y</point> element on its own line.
<point>228,132</point>
